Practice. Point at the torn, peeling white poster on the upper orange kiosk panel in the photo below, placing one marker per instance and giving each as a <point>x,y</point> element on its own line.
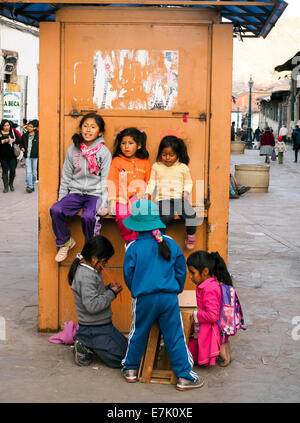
<point>136,79</point>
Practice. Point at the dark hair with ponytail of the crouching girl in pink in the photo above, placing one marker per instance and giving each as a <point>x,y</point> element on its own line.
<point>214,262</point>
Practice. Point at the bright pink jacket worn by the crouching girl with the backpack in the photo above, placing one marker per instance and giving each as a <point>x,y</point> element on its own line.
<point>205,346</point>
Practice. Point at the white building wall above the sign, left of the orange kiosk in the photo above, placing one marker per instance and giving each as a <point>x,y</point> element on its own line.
<point>27,46</point>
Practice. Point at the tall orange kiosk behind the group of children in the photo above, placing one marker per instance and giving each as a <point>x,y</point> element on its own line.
<point>166,71</point>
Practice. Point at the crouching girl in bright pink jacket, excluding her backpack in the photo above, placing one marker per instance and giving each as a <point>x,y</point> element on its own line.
<point>207,270</point>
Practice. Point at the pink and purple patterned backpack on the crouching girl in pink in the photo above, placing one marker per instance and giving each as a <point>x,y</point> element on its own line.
<point>231,313</point>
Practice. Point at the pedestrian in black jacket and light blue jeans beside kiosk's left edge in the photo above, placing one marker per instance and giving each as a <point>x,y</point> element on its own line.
<point>30,147</point>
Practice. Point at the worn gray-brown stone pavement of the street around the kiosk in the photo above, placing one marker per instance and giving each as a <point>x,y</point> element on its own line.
<point>264,257</point>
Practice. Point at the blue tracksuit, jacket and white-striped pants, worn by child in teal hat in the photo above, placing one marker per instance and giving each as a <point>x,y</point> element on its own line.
<point>154,284</point>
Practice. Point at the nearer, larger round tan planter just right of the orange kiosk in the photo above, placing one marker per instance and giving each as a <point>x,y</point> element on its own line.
<point>255,176</point>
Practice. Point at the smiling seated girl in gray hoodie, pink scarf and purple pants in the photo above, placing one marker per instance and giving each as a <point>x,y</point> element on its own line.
<point>83,184</point>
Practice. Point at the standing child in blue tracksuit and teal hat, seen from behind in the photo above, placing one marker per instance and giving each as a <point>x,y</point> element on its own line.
<point>155,271</point>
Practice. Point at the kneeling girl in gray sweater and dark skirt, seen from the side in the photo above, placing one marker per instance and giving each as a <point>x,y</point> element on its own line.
<point>96,333</point>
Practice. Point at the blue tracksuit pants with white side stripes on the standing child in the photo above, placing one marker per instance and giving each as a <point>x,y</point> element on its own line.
<point>164,308</point>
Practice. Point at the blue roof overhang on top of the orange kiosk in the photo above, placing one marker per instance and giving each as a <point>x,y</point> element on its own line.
<point>250,18</point>
